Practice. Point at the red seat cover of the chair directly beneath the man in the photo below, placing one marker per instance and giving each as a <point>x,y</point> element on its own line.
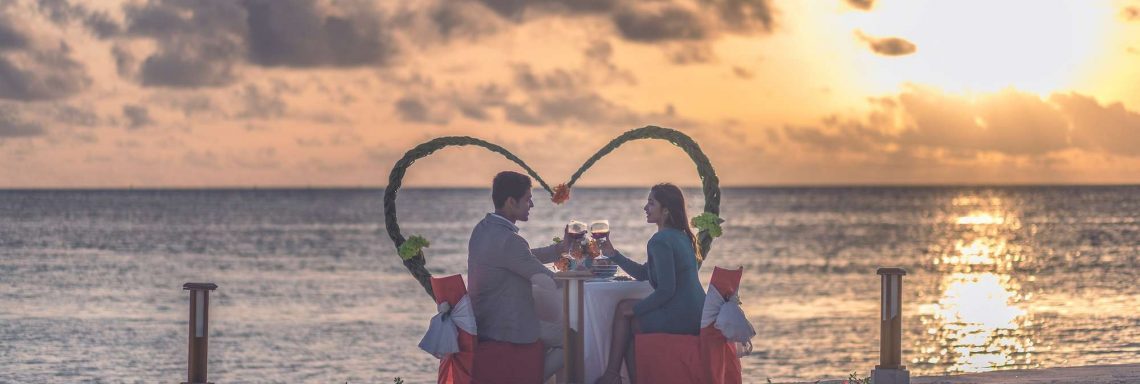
<point>500,363</point>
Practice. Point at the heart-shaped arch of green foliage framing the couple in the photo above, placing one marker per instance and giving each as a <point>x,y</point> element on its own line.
<point>711,184</point>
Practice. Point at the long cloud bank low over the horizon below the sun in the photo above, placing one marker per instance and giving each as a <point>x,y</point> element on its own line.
<point>1008,122</point>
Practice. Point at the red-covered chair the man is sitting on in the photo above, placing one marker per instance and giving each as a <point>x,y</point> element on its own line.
<point>485,362</point>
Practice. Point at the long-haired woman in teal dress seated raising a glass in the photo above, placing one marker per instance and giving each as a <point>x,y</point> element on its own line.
<point>677,303</point>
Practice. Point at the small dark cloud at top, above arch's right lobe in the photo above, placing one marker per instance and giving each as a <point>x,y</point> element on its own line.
<point>656,22</point>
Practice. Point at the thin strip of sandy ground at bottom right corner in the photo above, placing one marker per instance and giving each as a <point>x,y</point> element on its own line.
<point>1118,374</point>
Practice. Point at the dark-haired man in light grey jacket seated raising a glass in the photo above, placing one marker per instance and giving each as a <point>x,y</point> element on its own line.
<point>507,276</point>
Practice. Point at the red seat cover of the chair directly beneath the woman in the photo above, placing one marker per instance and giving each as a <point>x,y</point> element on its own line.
<point>669,360</point>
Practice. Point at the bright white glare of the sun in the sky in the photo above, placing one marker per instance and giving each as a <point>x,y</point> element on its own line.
<point>983,46</point>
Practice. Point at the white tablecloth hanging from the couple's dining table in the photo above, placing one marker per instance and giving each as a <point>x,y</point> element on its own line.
<point>601,299</point>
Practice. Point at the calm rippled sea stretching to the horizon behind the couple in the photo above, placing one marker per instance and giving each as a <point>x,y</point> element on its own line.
<point>311,289</point>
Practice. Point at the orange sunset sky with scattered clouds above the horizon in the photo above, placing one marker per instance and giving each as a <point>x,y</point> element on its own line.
<point>331,94</point>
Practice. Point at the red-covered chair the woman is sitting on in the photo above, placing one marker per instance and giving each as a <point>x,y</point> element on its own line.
<point>709,358</point>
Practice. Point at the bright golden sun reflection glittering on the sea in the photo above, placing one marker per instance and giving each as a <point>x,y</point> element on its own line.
<point>978,321</point>
